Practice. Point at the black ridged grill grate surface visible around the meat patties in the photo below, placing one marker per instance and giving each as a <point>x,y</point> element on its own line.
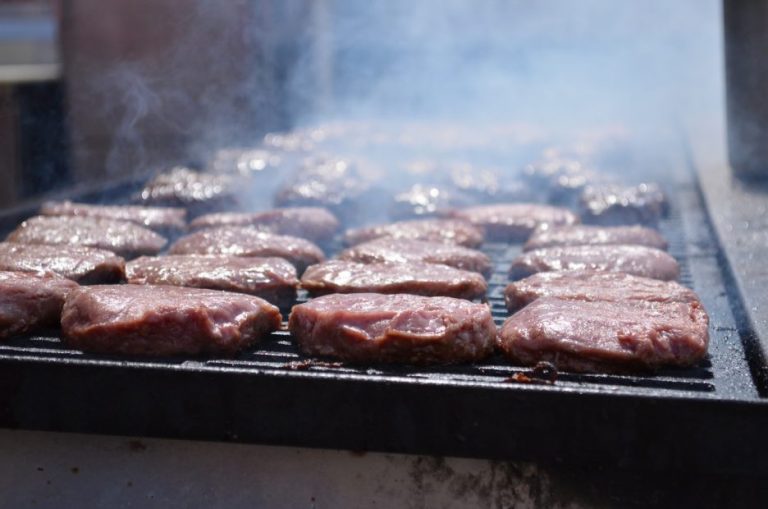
<point>724,374</point>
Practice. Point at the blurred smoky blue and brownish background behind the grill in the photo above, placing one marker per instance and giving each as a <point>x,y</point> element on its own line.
<point>94,90</point>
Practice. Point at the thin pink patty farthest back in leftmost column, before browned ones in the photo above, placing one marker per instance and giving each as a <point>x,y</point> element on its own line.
<point>163,219</point>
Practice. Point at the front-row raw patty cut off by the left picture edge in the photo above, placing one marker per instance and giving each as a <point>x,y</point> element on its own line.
<point>29,302</point>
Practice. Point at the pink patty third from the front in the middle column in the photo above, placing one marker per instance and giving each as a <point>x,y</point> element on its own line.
<point>403,250</point>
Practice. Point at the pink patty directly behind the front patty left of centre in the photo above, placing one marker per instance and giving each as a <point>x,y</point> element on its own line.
<point>272,279</point>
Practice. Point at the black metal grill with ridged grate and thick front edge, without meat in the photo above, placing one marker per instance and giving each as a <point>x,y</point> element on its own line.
<point>711,417</point>
